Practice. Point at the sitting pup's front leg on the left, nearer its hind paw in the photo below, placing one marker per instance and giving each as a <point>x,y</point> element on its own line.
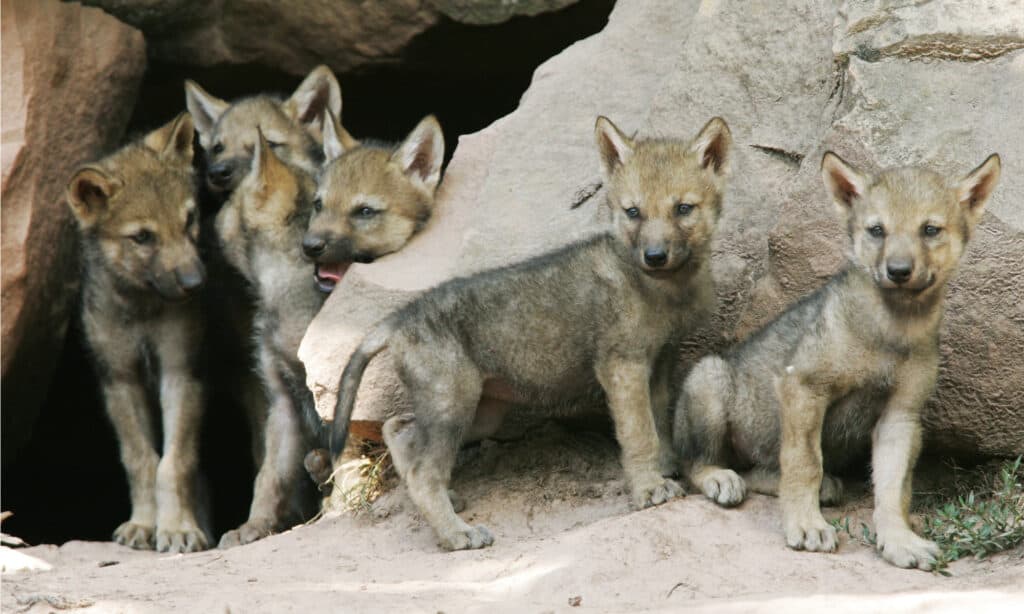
<point>803,412</point>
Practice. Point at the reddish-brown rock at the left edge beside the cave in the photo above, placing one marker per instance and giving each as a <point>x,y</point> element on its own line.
<point>70,79</point>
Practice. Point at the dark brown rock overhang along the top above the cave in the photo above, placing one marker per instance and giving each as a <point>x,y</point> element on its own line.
<point>296,36</point>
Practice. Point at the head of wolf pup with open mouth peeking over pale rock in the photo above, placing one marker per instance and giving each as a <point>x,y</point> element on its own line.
<point>372,198</point>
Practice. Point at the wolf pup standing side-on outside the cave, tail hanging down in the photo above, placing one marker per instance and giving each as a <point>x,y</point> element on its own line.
<point>603,313</point>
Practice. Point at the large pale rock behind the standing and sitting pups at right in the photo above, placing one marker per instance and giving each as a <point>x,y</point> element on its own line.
<point>792,80</point>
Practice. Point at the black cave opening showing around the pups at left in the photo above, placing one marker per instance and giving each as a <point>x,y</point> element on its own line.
<point>67,481</point>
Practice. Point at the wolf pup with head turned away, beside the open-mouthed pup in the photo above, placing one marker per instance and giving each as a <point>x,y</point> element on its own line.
<point>261,230</point>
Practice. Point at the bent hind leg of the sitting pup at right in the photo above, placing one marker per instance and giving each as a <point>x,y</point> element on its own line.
<point>703,431</point>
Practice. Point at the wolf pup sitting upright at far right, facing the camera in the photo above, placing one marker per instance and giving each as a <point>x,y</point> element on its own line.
<point>847,368</point>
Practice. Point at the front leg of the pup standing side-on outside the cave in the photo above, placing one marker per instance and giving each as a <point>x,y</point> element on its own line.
<point>627,386</point>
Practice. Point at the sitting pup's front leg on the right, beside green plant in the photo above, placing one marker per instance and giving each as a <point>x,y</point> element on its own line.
<point>895,446</point>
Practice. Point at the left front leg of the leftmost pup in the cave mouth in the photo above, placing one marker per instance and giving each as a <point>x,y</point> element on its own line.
<point>126,406</point>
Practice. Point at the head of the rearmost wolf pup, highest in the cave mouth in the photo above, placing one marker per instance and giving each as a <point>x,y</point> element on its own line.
<point>293,127</point>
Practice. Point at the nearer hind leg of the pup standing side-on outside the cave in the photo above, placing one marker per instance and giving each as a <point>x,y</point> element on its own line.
<point>424,447</point>
